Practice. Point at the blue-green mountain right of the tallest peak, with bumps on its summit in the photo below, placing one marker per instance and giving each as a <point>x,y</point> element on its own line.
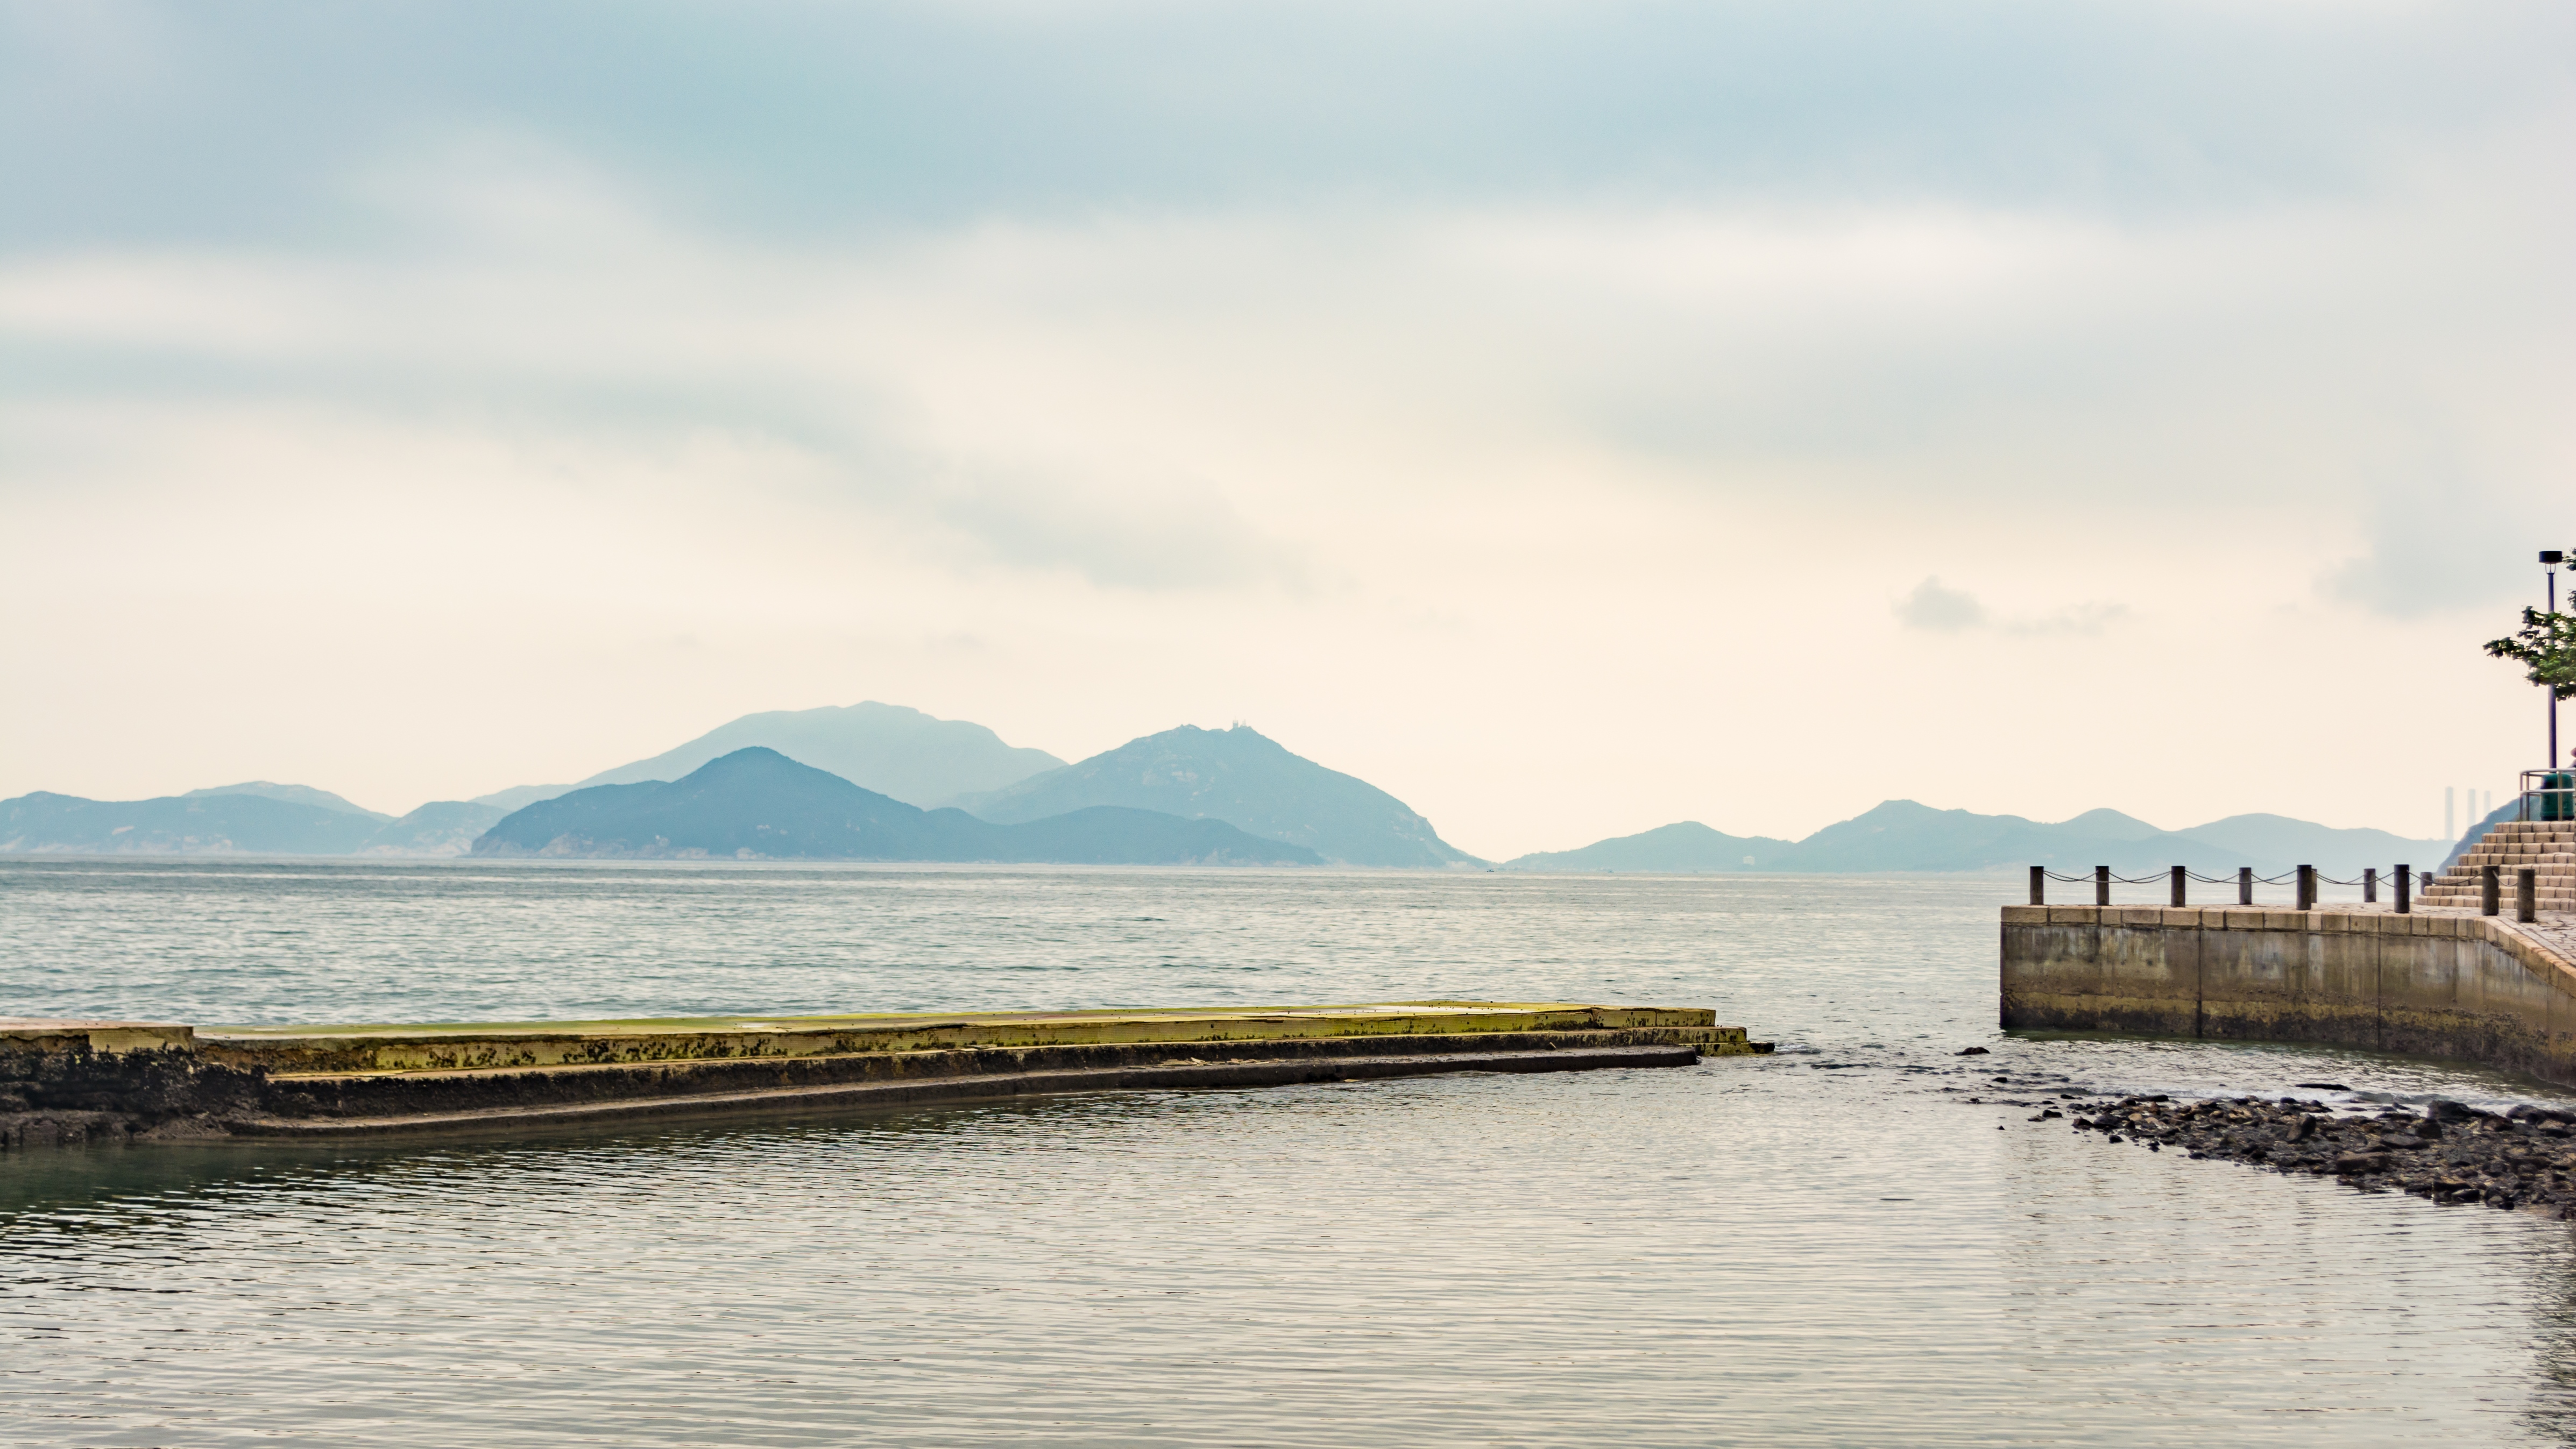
<point>1243,779</point>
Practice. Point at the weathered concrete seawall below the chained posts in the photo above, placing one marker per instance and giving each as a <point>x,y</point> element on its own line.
<point>2451,987</point>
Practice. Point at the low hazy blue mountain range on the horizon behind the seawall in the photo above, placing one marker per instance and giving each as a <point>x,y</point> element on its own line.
<point>1902,835</point>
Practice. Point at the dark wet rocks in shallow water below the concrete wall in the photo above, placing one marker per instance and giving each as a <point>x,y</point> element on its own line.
<point>2448,1154</point>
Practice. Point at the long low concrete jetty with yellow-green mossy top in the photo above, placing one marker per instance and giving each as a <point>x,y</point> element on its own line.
<point>66,1082</point>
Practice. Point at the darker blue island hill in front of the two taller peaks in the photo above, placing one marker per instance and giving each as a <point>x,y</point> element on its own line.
<point>759,804</point>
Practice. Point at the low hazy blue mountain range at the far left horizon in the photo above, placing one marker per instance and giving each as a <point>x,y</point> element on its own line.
<point>179,825</point>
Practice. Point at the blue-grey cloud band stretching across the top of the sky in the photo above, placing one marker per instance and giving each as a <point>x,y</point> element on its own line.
<point>813,120</point>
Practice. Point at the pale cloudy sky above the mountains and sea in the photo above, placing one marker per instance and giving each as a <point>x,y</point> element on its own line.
<point>1567,418</point>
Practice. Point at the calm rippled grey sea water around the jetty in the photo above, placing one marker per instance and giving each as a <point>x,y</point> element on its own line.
<point>1825,1247</point>
